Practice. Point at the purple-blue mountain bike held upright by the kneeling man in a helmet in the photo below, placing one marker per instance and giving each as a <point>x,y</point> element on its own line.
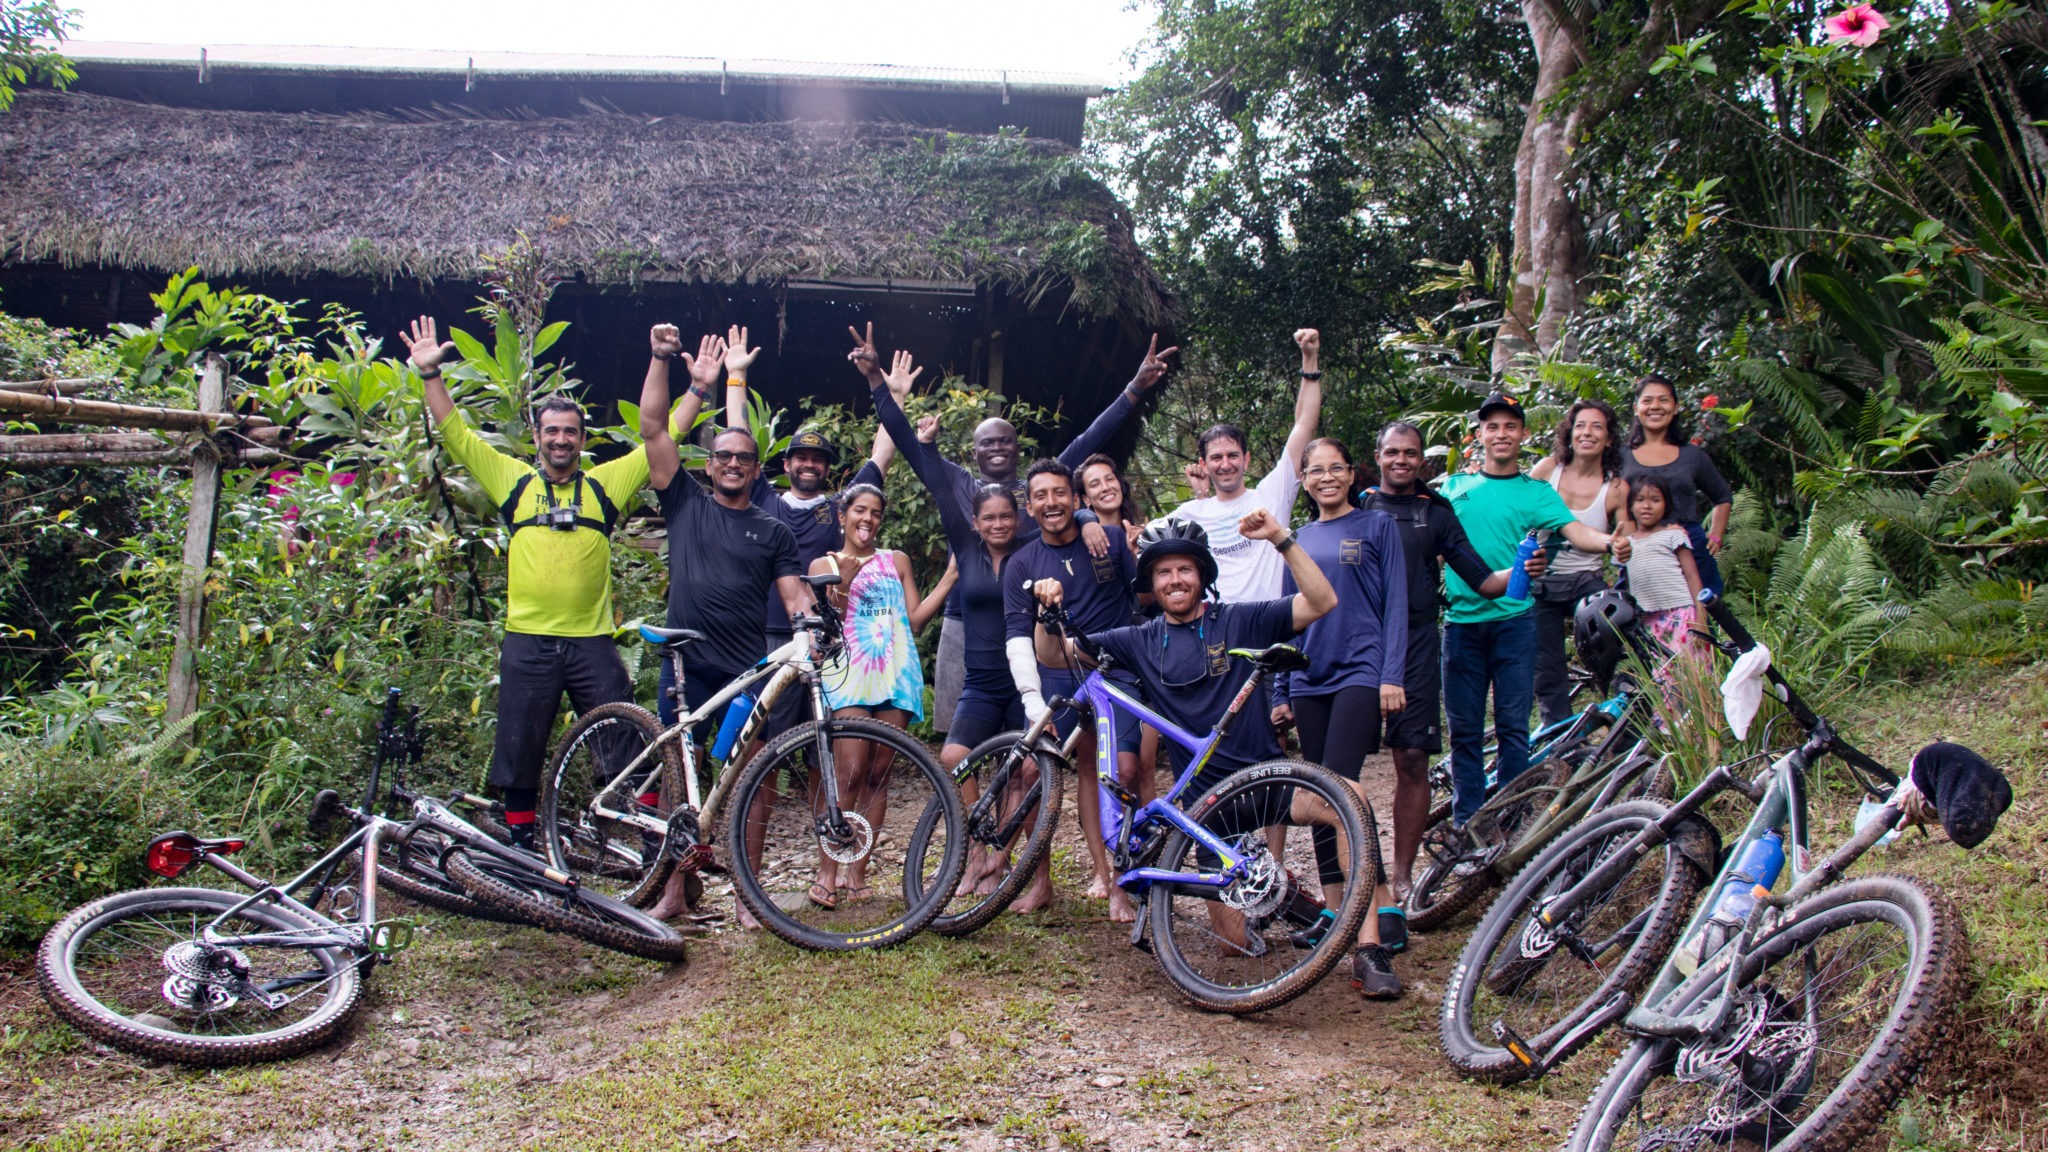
<point>1232,925</point>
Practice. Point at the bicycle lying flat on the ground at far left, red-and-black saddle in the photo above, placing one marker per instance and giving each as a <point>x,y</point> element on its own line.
<point>208,977</point>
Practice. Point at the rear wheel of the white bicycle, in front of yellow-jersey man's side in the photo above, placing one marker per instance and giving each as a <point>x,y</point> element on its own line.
<point>611,858</point>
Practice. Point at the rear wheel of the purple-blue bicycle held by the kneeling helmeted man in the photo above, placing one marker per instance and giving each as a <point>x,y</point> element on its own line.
<point>1240,815</point>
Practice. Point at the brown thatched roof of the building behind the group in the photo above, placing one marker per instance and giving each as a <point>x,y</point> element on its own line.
<point>620,198</point>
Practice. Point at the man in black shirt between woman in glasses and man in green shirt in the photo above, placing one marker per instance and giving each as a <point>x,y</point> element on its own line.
<point>1431,536</point>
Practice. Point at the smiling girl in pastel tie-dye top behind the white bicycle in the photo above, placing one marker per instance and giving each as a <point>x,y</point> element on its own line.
<point>878,673</point>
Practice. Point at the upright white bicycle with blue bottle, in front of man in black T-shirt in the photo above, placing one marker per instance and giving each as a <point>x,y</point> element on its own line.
<point>624,807</point>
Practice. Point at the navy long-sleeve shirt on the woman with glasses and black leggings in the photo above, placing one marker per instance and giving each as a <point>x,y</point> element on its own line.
<point>1363,643</point>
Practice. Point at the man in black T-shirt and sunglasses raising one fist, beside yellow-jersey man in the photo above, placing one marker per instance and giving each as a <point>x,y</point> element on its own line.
<point>724,554</point>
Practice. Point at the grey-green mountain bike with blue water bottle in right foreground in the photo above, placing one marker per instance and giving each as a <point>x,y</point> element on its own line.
<point>1785,1022</point>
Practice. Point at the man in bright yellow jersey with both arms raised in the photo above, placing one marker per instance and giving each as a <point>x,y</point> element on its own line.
<point>558,573</point>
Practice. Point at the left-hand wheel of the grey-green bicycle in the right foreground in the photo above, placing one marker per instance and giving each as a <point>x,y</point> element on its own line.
<point>1541,983</point>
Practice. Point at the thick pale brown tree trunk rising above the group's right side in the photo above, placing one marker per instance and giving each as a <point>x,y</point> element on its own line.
<point>1549,233</point>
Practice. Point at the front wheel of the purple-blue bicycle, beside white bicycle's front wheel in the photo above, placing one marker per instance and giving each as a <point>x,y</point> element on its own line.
<point>1019,798</point>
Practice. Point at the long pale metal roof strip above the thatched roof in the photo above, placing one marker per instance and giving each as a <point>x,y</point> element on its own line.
<point>574,67</point>
